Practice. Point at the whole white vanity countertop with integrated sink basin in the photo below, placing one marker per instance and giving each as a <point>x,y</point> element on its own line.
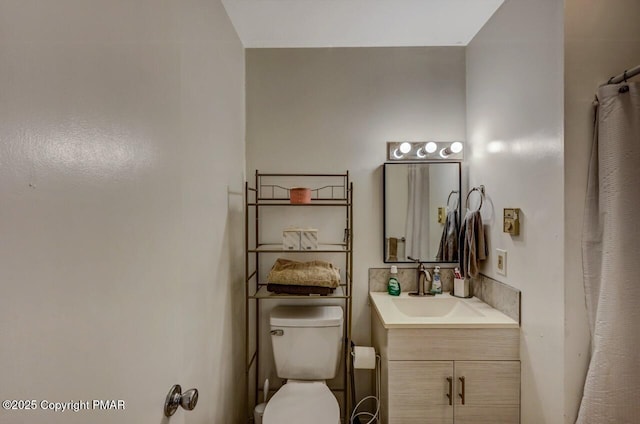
<point>441,311</point>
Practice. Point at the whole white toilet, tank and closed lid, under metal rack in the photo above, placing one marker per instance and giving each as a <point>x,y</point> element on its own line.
<point>307,344</point>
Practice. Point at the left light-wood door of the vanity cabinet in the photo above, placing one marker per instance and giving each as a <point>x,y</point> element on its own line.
<point>418,392</point>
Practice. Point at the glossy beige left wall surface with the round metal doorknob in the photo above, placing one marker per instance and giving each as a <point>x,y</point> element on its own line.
<point>121,256</point>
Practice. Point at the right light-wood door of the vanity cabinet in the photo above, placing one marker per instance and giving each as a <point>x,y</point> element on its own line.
<point>491,392</point>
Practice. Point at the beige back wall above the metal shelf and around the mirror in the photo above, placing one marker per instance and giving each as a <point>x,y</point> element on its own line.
<point>329,110</point>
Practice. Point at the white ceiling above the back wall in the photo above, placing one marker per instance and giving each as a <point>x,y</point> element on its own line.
<point>358,23</point>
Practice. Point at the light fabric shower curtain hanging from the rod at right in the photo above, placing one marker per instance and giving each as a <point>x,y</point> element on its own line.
<point>611,260</point>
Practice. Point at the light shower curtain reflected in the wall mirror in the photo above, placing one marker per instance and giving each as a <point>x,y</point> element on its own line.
<point>417,229</point>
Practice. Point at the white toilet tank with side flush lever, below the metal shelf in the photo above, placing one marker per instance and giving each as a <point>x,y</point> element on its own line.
<point>307,341</point>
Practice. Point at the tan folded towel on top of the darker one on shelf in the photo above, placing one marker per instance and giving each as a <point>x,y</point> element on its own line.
<point>313,273</point>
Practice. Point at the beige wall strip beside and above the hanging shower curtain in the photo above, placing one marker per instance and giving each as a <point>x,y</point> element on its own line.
<point>601,40</point>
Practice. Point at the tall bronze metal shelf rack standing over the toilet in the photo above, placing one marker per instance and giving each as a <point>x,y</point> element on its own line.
<point>333,190</point>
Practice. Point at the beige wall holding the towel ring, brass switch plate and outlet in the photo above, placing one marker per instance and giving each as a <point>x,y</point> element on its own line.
<point>514,131</point>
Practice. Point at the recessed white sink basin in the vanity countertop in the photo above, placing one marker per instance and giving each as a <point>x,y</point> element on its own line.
<point>434,307</point>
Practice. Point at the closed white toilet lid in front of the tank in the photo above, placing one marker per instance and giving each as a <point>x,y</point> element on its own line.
<point>310,402</point>
